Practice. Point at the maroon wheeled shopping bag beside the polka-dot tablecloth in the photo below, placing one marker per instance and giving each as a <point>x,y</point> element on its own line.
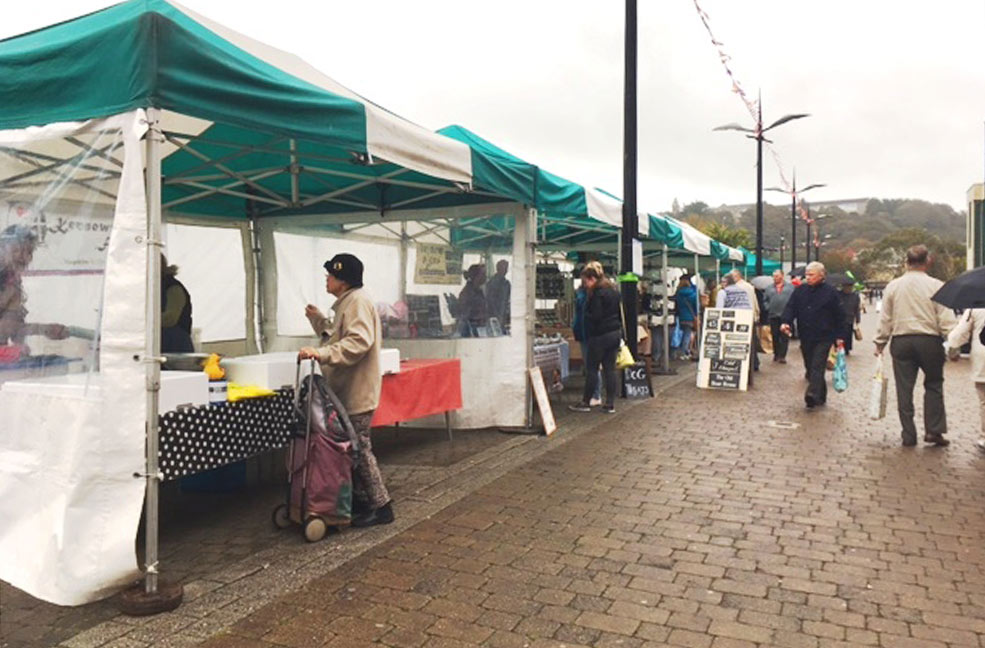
<point>320,456</point>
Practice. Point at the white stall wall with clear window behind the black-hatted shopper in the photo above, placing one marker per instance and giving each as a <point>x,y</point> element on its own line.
<point>445,301</point>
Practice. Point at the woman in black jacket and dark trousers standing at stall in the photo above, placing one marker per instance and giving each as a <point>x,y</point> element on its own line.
<point>604,328</point>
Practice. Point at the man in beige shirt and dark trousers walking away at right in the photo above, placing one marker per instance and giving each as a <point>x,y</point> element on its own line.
<point>914,327</point>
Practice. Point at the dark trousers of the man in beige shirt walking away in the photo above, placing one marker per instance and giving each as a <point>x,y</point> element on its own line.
<point>912,353</point>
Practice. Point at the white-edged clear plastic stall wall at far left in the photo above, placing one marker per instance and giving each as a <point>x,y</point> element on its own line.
<point>72,323</point>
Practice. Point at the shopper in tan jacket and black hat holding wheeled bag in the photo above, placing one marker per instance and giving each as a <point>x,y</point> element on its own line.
<point>350,361</point>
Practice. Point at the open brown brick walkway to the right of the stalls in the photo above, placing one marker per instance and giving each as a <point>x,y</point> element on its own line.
<point>689,520</point>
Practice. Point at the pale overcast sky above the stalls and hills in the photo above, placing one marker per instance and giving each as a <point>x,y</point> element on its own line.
<point>896,90</point>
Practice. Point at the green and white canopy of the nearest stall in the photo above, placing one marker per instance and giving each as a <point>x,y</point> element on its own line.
<point>244,122</point>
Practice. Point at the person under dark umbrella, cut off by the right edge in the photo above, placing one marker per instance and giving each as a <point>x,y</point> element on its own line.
<point>967,292</point>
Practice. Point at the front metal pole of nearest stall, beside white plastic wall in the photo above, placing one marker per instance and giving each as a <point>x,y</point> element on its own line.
<point>152,339</point>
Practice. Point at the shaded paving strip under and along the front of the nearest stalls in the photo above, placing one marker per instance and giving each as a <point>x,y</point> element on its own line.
<point>223,548</point>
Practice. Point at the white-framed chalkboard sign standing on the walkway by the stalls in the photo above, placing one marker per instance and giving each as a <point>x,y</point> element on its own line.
<point>726,349</point>
